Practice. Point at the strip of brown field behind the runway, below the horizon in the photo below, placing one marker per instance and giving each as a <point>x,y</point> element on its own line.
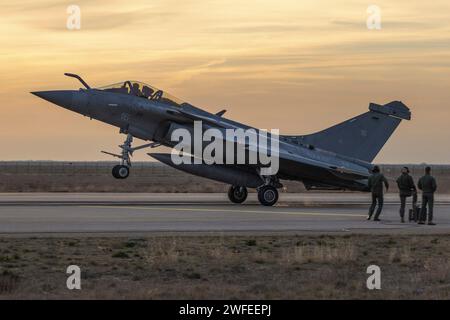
<point>95,176</point>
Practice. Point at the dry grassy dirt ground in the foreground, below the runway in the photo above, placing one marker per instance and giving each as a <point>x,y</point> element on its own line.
<point>226,267</point>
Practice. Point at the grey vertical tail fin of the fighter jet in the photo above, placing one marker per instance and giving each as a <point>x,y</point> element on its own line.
<point>361,137</point>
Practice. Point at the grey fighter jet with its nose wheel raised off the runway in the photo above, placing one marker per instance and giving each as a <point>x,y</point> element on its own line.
<point>337,158</point>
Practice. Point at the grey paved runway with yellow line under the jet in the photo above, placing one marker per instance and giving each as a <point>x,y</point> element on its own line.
<point>130,213</point>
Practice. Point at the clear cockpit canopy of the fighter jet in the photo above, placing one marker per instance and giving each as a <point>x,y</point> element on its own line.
<point>142,90</point>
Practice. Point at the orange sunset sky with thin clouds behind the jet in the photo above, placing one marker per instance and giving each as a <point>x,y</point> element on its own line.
<point>299,66</point>
